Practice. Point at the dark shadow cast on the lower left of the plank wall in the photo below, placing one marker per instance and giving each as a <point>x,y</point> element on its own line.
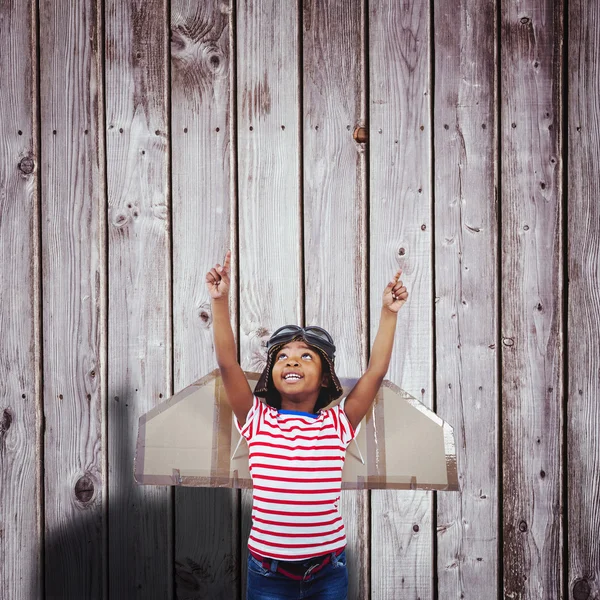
<point>139,530</point>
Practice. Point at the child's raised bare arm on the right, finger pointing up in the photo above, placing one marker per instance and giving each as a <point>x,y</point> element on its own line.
<point>361,397</point>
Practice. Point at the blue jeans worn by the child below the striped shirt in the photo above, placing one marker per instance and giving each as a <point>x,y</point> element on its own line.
<point>329,583</point>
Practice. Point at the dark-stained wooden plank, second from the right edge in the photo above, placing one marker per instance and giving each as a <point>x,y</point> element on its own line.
<point>531,289</point>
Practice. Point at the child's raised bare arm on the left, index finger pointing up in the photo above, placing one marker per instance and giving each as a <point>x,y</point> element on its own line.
<point>239,394</point>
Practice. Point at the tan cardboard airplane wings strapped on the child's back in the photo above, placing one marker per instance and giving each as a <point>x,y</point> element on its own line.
<point>191,440</point>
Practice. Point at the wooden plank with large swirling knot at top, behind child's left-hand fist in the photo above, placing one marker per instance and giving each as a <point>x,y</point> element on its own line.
<point>206,520</point>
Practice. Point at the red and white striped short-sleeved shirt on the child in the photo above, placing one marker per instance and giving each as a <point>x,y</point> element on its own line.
<point>296,461</point>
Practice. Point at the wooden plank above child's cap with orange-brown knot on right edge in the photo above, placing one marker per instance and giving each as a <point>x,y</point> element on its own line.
<point>335,216</point>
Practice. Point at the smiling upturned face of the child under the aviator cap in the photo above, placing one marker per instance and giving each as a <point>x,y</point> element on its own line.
<point>299,358</point>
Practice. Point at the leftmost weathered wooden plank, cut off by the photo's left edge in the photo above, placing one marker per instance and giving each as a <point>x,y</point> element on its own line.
<point>20,361</point>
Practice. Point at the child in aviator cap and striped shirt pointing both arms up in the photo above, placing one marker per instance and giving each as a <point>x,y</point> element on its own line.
<point>297,446</point>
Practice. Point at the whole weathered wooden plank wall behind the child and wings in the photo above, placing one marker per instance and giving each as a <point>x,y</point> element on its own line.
<point>141,140</point>
